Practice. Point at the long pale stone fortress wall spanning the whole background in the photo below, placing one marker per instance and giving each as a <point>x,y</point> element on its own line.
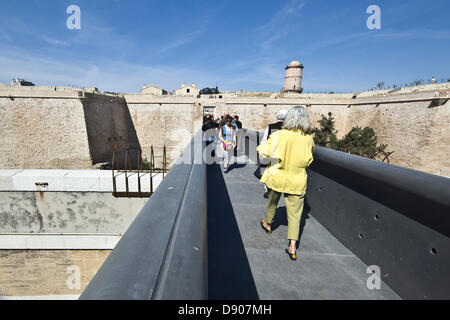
<point>65,128</point>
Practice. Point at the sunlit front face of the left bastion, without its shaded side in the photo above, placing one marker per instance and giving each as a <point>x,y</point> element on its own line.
<point>43,133</point>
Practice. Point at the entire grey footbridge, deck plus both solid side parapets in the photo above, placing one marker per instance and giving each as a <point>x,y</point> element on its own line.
<point>199,236</point>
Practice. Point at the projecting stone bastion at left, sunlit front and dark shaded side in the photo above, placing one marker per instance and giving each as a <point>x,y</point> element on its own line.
<point>61,128</point>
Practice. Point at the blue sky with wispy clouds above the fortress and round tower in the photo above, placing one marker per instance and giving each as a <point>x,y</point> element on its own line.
<point>237,45</point>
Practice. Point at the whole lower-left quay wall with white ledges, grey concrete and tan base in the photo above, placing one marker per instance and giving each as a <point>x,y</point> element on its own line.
<point>58,229</point>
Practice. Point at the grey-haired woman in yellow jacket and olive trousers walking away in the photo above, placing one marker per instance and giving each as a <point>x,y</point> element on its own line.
<point>291,150</point>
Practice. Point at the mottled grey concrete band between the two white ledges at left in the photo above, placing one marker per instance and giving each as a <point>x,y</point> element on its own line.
<point>66,212</point>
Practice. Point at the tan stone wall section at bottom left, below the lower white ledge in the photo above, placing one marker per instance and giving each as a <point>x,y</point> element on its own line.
<point>45,272</point>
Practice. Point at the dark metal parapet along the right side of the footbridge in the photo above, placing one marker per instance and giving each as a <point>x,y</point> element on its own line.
<point>393,218</point>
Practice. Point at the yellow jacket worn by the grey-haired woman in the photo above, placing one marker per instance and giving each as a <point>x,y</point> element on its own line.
<point>293,152</point>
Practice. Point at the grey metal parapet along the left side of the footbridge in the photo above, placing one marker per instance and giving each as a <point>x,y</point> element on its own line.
<point>163,254</point>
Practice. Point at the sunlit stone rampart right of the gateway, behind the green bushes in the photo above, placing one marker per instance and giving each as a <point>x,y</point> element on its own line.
<point>418,134</point>
